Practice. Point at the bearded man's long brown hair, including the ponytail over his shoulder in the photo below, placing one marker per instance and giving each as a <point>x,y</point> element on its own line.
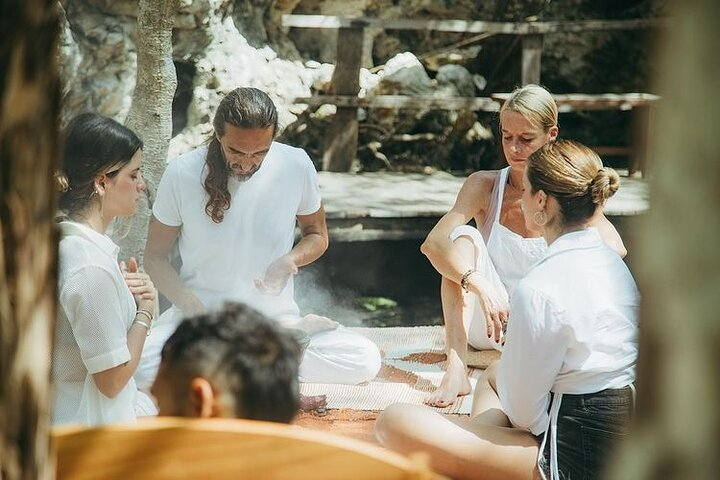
<point>244,107</point>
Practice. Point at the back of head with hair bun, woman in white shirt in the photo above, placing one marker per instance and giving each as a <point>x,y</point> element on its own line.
<point>574,175</point>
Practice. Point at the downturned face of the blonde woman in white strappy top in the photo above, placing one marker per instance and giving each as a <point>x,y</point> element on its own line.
<point>520,137</point>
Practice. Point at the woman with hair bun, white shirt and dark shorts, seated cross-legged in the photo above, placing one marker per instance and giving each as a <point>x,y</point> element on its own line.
<point>561,396</point>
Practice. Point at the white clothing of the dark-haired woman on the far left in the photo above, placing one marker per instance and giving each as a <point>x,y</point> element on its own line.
<point>96,311</point>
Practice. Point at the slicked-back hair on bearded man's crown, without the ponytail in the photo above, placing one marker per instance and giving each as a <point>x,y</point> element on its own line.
<point>246,107</point>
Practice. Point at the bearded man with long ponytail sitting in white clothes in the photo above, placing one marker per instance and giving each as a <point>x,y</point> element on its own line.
<point>232,207</point>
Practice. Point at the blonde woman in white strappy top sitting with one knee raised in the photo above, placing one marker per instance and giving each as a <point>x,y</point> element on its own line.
<point>481,266</point>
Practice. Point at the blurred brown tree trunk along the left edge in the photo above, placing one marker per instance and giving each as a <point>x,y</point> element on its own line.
<point>29,112</point>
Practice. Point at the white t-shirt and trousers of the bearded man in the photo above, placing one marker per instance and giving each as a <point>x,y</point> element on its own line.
<point>222,260</point>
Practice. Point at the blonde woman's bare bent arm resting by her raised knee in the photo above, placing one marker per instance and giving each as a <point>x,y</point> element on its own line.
<point>470,202</point>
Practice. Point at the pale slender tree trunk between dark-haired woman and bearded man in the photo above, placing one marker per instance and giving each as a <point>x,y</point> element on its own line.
<point>150,114</point>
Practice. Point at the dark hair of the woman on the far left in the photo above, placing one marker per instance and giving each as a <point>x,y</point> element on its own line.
<point>93,145</point>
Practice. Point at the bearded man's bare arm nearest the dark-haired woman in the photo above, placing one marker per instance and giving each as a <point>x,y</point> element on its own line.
<point>161,239</point>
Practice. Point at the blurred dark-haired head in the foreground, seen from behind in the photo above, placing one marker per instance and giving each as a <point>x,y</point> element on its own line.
<point>251,362</point>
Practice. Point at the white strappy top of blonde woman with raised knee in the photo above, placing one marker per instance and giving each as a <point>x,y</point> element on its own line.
<point>511,254</point>
